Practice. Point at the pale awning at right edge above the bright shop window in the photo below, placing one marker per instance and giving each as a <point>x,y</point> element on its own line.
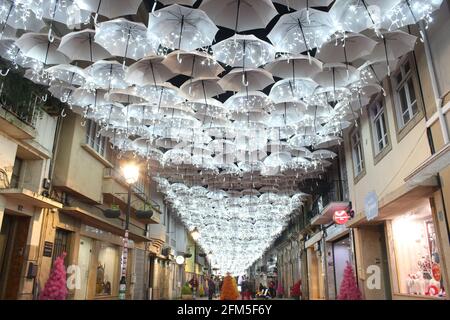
<point>430,167</point>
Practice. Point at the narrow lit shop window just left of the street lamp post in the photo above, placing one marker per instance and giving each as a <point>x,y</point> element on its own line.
<point>107,269</point>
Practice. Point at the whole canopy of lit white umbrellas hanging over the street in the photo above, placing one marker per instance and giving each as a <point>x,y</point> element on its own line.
<point>287,100</point>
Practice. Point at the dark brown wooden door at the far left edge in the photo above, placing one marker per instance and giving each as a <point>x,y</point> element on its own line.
<point>13,240</point>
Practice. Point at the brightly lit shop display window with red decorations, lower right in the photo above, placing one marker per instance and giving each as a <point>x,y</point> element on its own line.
<point>417,255</point>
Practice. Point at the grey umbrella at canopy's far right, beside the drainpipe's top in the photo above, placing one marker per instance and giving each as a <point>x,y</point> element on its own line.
<point>393,45</point>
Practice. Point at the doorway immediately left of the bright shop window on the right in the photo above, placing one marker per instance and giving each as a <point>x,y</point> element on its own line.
<point>374,250</point>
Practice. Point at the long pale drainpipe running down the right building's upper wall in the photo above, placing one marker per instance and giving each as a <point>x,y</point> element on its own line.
<point>434,84</point>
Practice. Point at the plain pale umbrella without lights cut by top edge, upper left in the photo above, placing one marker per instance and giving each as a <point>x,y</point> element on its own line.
<point>110,8</point>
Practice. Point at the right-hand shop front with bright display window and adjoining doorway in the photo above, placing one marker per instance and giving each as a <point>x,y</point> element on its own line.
<point>398,252</point>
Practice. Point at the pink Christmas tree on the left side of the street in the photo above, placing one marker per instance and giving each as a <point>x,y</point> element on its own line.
<point>55,287</point>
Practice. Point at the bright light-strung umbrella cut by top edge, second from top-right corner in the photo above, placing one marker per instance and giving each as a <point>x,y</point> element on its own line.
<point>358,15</point>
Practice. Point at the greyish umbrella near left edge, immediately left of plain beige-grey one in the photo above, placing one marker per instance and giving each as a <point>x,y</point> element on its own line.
<point>37,46</point>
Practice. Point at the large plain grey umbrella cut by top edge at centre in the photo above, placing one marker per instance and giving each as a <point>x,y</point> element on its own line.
<point>240,15</point>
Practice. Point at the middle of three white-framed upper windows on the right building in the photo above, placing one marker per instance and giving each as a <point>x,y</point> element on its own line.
<point>379,125</point>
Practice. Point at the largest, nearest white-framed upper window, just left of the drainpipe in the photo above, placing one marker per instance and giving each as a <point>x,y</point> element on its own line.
<point>406,97</point>
